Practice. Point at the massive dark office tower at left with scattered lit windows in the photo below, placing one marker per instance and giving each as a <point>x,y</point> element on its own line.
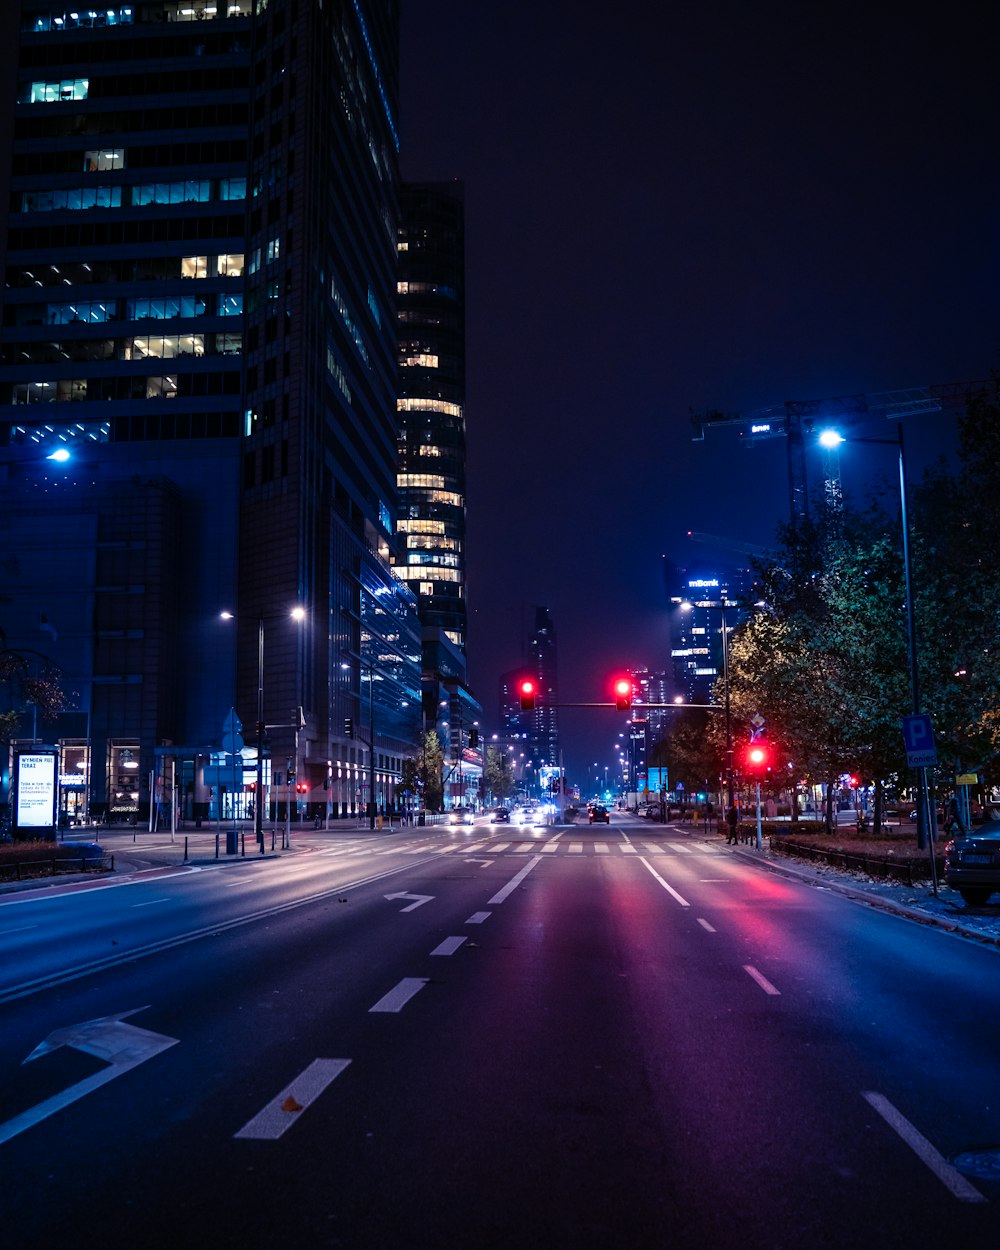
<point>201,307</point>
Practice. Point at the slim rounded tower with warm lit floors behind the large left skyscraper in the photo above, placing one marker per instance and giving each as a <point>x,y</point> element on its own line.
<point>432,404</point>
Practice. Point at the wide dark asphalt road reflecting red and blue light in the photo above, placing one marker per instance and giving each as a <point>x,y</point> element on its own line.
<point>482,1038</point>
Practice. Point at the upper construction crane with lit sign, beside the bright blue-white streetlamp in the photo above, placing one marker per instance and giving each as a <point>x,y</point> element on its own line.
<point>794,419</point>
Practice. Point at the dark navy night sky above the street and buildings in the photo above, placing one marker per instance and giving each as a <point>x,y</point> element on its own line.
<point>676,208</point>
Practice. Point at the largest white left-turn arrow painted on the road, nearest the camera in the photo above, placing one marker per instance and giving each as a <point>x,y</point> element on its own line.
<point>123,1046</point>
